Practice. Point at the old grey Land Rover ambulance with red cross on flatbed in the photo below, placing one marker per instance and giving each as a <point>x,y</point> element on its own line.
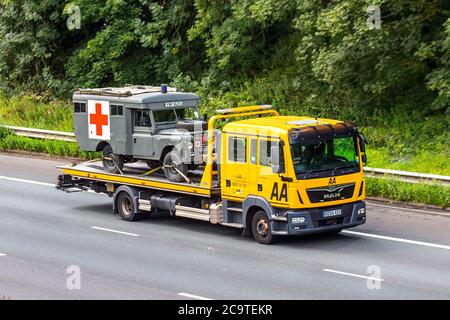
<point>140,123</point>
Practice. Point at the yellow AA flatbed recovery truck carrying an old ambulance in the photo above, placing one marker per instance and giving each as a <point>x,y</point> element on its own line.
<point>267,174</point>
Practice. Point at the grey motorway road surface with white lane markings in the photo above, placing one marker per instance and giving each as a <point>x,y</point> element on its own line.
<point>55,245</point>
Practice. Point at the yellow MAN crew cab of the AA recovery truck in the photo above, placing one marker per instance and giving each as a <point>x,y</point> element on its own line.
<point>305,172</point>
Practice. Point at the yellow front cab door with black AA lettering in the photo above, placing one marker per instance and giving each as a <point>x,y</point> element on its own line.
<point>270,185</point>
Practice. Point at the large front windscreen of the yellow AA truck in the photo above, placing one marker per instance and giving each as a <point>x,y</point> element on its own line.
<point>332,155</point>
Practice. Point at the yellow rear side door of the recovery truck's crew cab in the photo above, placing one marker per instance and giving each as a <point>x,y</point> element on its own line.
<point>236,168</point>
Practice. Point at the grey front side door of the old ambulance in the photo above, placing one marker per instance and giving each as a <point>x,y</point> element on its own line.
<point>142,134</point>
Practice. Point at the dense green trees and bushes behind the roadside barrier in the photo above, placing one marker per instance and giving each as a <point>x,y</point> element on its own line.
<point>290,52</point>
